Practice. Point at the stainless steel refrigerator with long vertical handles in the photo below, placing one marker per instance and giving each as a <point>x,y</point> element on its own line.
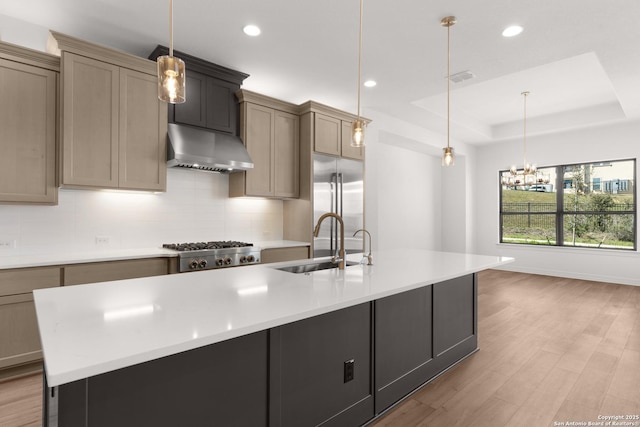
<point>338,187</point>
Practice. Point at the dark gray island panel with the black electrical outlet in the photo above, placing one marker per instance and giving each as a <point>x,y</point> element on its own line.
<point>321,370</point>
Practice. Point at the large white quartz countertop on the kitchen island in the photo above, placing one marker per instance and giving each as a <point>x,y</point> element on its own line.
<point>91,329</point>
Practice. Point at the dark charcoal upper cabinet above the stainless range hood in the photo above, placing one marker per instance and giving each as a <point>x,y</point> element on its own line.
<point>210,93</point>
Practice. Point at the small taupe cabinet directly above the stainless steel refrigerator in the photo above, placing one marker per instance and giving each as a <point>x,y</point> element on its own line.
<point>331,130</point>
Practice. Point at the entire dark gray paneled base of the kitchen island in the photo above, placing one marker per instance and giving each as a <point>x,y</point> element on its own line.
<point>342,368</point>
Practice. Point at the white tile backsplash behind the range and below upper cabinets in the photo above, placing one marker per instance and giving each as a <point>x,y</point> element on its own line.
<point>195,207</point>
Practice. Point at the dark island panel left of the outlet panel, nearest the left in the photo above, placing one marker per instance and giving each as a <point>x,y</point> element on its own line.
<point>223,384</point>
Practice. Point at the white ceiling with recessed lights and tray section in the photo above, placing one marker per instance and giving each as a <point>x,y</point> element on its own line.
<point>578,58</point>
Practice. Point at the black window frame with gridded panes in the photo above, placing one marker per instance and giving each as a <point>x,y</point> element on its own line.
<point>560,212</point>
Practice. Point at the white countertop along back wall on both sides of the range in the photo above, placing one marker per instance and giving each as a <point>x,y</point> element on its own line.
<point>71,257</point>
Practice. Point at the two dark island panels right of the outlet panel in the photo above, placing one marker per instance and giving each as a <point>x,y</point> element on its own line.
<point>420,333</point>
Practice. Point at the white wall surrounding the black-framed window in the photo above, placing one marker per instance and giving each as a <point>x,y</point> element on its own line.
<point>619,141</point>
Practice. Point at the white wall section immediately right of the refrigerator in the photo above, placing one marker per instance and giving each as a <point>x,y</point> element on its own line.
<point>403,185</point>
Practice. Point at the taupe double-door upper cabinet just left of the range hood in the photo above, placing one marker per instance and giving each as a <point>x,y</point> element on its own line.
<point>113,125</point>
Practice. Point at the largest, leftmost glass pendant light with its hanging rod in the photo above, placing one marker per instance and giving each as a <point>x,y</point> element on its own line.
<point>171,76</point>
